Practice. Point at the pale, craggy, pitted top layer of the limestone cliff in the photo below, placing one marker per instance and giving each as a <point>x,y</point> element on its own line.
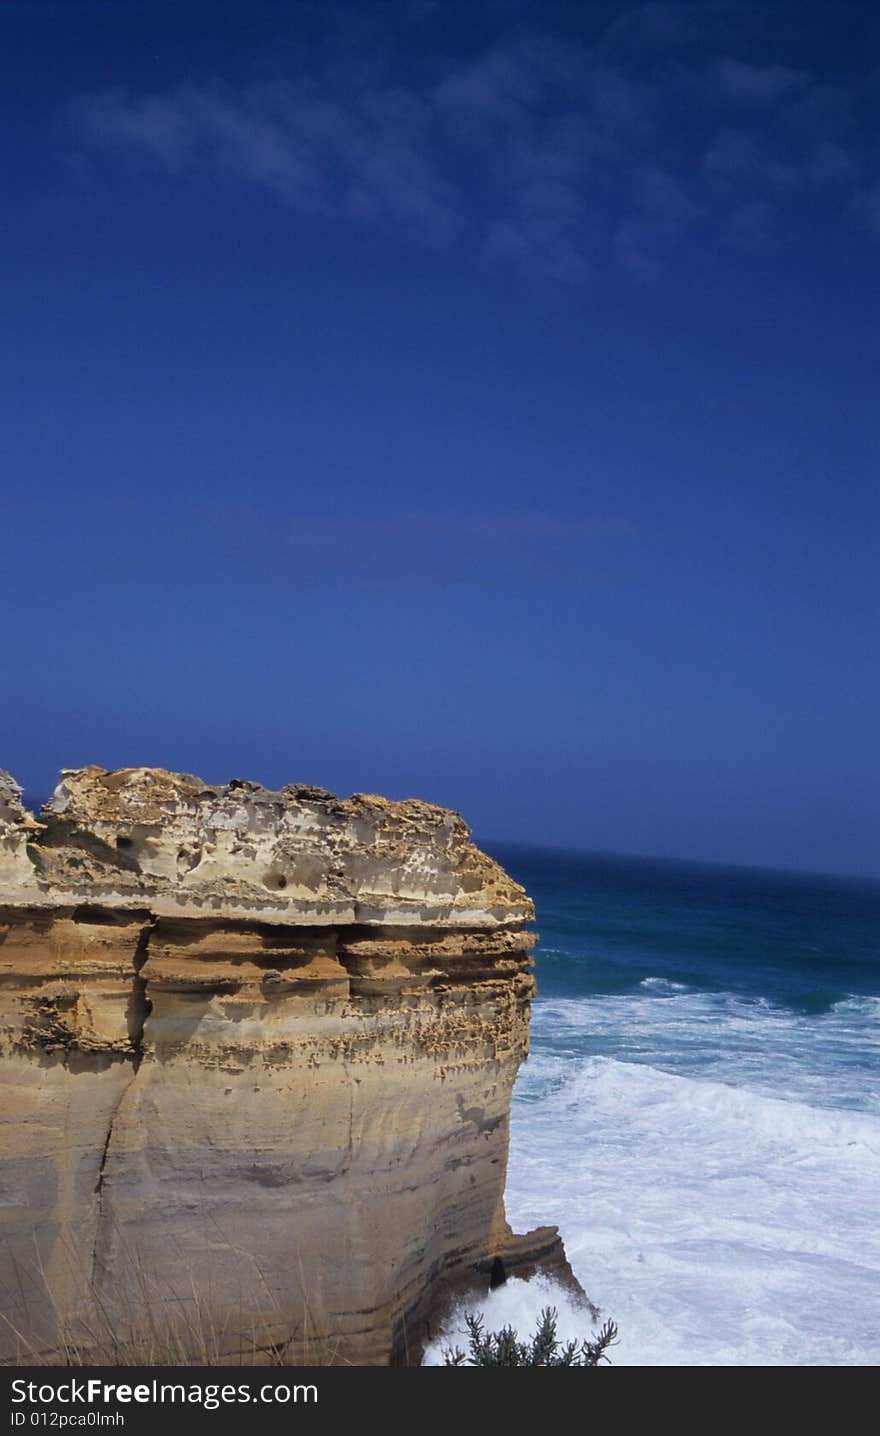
<point>146,838</point>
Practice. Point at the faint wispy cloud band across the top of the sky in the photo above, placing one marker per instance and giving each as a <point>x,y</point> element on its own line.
<point>558,157</point>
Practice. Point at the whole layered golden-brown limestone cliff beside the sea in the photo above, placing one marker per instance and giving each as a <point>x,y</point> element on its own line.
<point>258,1056</point>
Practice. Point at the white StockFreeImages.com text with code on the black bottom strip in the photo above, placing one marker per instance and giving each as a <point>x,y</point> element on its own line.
<point>146,1394</point>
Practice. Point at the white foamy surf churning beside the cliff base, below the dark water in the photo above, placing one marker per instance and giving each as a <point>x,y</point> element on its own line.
<point>721,1208</point>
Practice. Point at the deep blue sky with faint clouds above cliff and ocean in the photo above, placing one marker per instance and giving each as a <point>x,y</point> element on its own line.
<point>474,403</point>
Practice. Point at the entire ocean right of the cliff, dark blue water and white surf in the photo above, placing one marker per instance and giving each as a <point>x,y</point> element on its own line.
<point>701,1111</point>
